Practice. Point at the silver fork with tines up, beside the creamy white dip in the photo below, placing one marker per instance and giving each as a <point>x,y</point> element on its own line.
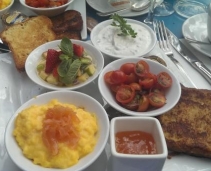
<point>164,44</point>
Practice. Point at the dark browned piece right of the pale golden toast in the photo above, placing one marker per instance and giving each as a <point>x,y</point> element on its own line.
<point>68,24</point>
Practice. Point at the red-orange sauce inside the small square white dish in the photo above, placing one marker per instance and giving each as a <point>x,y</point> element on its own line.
<point>135,142</point>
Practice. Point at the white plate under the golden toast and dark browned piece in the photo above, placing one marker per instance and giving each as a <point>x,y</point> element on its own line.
<point>78,5</point>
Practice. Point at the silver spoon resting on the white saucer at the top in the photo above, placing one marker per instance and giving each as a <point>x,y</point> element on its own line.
<point>137,6</point>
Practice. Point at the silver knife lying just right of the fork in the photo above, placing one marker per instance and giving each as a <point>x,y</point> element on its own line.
<point>195,62</point>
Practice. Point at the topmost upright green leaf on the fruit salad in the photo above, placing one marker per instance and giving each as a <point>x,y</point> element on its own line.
<point>66,46</point>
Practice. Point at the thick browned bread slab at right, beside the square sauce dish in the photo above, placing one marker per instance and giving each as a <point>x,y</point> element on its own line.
<point>187,126</point>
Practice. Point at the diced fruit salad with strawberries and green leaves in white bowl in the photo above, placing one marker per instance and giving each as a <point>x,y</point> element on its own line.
<point>68,66</point>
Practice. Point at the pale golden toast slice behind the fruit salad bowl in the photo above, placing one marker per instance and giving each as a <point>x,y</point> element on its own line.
<point>24,37</point>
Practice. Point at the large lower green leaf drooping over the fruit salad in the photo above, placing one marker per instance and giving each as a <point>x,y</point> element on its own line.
<point>71,74</point>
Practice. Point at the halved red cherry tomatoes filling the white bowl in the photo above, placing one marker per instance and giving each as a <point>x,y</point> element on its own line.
<point>136,88</point>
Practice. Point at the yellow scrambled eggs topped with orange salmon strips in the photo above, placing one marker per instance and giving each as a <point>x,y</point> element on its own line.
<point>56,134</point>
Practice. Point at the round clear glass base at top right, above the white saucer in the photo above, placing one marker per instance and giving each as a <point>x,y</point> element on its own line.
<point>188,8</point>
